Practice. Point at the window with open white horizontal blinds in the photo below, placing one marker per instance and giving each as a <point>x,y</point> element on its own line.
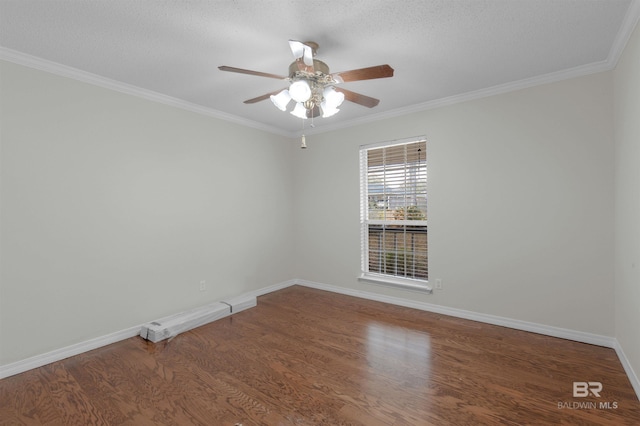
<point>393,191</point>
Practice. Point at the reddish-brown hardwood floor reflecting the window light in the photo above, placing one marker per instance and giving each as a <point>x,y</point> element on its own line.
<point>308,357</point>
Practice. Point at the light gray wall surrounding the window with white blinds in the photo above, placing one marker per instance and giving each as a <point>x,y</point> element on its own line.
<point>520,204</point>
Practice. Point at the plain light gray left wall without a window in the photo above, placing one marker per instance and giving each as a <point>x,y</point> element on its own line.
<point>115,208</point>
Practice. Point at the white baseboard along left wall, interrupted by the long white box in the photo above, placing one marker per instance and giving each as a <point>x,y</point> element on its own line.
<point>98,342</point>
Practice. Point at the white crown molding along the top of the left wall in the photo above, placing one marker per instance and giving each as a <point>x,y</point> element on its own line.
<point>107,83</point>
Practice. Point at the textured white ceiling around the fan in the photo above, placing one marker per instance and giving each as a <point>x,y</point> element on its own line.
<point>440,49</point>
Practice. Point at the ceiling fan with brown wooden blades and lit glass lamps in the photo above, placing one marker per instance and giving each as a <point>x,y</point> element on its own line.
<point>312,87</point>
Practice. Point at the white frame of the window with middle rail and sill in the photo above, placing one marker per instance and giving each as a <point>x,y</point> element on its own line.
<point>407,283</point>
